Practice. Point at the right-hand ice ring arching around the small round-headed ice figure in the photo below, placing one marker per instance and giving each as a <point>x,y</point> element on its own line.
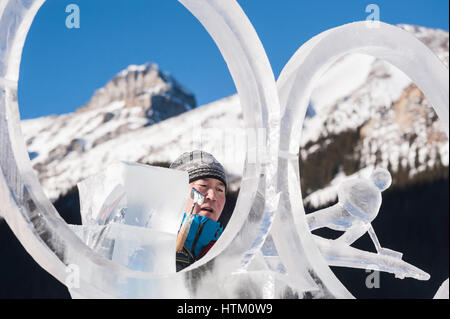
<point>295,85</point>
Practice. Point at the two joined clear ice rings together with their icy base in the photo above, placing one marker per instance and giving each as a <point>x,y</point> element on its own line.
<point>269,202</point>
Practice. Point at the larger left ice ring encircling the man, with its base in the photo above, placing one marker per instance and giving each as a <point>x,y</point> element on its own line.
<point>55,246</point>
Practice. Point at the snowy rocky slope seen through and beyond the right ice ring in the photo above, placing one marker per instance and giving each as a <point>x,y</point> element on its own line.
<point>376,117</point>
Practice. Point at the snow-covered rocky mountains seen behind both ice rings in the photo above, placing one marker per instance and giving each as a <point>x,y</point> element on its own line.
<point>363,113</point>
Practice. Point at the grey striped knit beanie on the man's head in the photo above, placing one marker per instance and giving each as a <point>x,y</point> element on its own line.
<point>200,164</point>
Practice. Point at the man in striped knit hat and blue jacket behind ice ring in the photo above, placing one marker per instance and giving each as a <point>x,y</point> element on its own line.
<point>200,228</point>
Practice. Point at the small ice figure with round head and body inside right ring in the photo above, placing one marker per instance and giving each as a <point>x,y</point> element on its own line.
<point>359,201</point>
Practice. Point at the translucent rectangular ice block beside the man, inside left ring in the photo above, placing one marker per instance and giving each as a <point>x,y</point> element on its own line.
<point>131,213</point>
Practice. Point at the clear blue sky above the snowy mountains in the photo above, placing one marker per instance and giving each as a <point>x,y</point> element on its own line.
<point>61,68</point>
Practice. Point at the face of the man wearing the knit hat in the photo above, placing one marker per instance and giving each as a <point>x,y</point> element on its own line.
<point>214,192</point>
